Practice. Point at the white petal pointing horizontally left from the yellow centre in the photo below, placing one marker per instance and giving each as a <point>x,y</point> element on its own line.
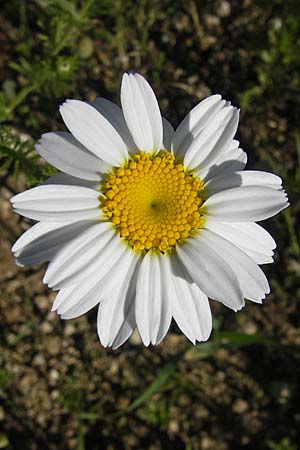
<point>58,203</point>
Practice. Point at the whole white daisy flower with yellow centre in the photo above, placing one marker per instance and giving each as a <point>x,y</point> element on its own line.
<point>147,222</point>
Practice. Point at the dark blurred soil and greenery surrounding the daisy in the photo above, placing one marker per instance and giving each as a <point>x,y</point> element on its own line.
<point>58,388</point>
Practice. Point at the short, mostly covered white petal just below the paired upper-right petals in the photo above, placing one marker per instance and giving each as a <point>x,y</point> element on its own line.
<point>232,160</point>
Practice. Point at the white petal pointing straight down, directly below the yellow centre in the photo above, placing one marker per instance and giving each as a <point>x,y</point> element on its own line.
<point>154,293</point>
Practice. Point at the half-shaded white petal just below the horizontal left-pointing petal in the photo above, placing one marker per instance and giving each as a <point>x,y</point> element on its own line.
<point>43,240</point>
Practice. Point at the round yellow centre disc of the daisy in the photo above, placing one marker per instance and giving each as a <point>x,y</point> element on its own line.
<point>153,201</point>
